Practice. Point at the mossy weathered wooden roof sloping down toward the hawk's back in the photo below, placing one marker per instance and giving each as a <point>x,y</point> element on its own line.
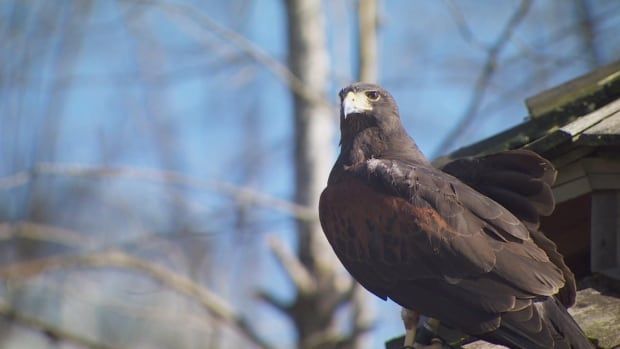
<point>560,114</point>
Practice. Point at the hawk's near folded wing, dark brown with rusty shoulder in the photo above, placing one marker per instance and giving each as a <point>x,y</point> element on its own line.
<point>431,243</point>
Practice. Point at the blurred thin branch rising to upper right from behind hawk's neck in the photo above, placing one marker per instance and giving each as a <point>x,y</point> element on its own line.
<point>489,68</point>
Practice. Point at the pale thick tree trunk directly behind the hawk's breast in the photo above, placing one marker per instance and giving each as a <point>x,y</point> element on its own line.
<point>313,309</point>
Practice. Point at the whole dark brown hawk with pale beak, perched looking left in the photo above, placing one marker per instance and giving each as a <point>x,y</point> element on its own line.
<point>461,245</point>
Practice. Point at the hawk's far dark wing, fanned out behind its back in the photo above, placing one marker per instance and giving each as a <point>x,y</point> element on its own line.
<point>519,180</point>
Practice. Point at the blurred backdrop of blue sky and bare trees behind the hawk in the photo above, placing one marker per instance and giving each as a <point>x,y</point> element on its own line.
<point>161,160</point>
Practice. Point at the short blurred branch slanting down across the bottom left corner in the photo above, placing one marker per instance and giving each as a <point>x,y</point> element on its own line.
<point>54,333</point>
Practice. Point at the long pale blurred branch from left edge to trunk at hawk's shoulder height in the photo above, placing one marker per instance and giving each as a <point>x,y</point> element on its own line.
<point>241,194</point>
